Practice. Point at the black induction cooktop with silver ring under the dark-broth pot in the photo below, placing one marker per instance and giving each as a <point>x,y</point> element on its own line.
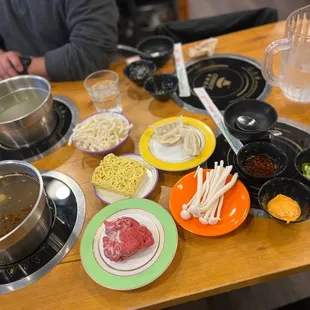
<point>67,205</point>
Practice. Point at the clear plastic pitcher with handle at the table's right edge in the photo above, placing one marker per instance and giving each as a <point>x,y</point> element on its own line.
<point>294,74</point>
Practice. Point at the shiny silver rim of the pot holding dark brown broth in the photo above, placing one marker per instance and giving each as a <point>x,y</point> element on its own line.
<point>41,192</point>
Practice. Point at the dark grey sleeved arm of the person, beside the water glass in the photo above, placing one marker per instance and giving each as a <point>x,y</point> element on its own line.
<point>92,42</point>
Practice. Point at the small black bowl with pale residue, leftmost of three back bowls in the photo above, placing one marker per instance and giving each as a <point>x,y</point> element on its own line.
<point>139,71</point>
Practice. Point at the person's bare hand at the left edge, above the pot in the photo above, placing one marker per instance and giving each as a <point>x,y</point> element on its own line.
<point>10,65</point>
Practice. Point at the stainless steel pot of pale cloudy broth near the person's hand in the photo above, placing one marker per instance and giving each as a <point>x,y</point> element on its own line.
<point>36,124</point>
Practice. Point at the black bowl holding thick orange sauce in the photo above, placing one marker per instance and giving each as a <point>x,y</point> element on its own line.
<point>289,187</point>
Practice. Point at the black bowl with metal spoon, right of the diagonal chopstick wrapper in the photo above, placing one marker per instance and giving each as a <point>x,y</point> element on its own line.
<point>262,112</point>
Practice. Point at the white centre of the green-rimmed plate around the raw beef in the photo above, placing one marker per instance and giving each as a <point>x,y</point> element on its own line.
<point>144,258</point>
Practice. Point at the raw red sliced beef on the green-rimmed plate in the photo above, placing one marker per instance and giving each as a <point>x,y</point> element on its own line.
<point>125,237</point>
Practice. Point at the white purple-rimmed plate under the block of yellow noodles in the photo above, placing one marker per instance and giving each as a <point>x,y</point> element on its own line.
<point>144,190</point>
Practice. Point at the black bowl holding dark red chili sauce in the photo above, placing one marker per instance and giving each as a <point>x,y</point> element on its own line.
<point>262,148</point>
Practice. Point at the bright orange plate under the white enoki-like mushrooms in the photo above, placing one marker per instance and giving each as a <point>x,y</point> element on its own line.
<point>235,207</point>
